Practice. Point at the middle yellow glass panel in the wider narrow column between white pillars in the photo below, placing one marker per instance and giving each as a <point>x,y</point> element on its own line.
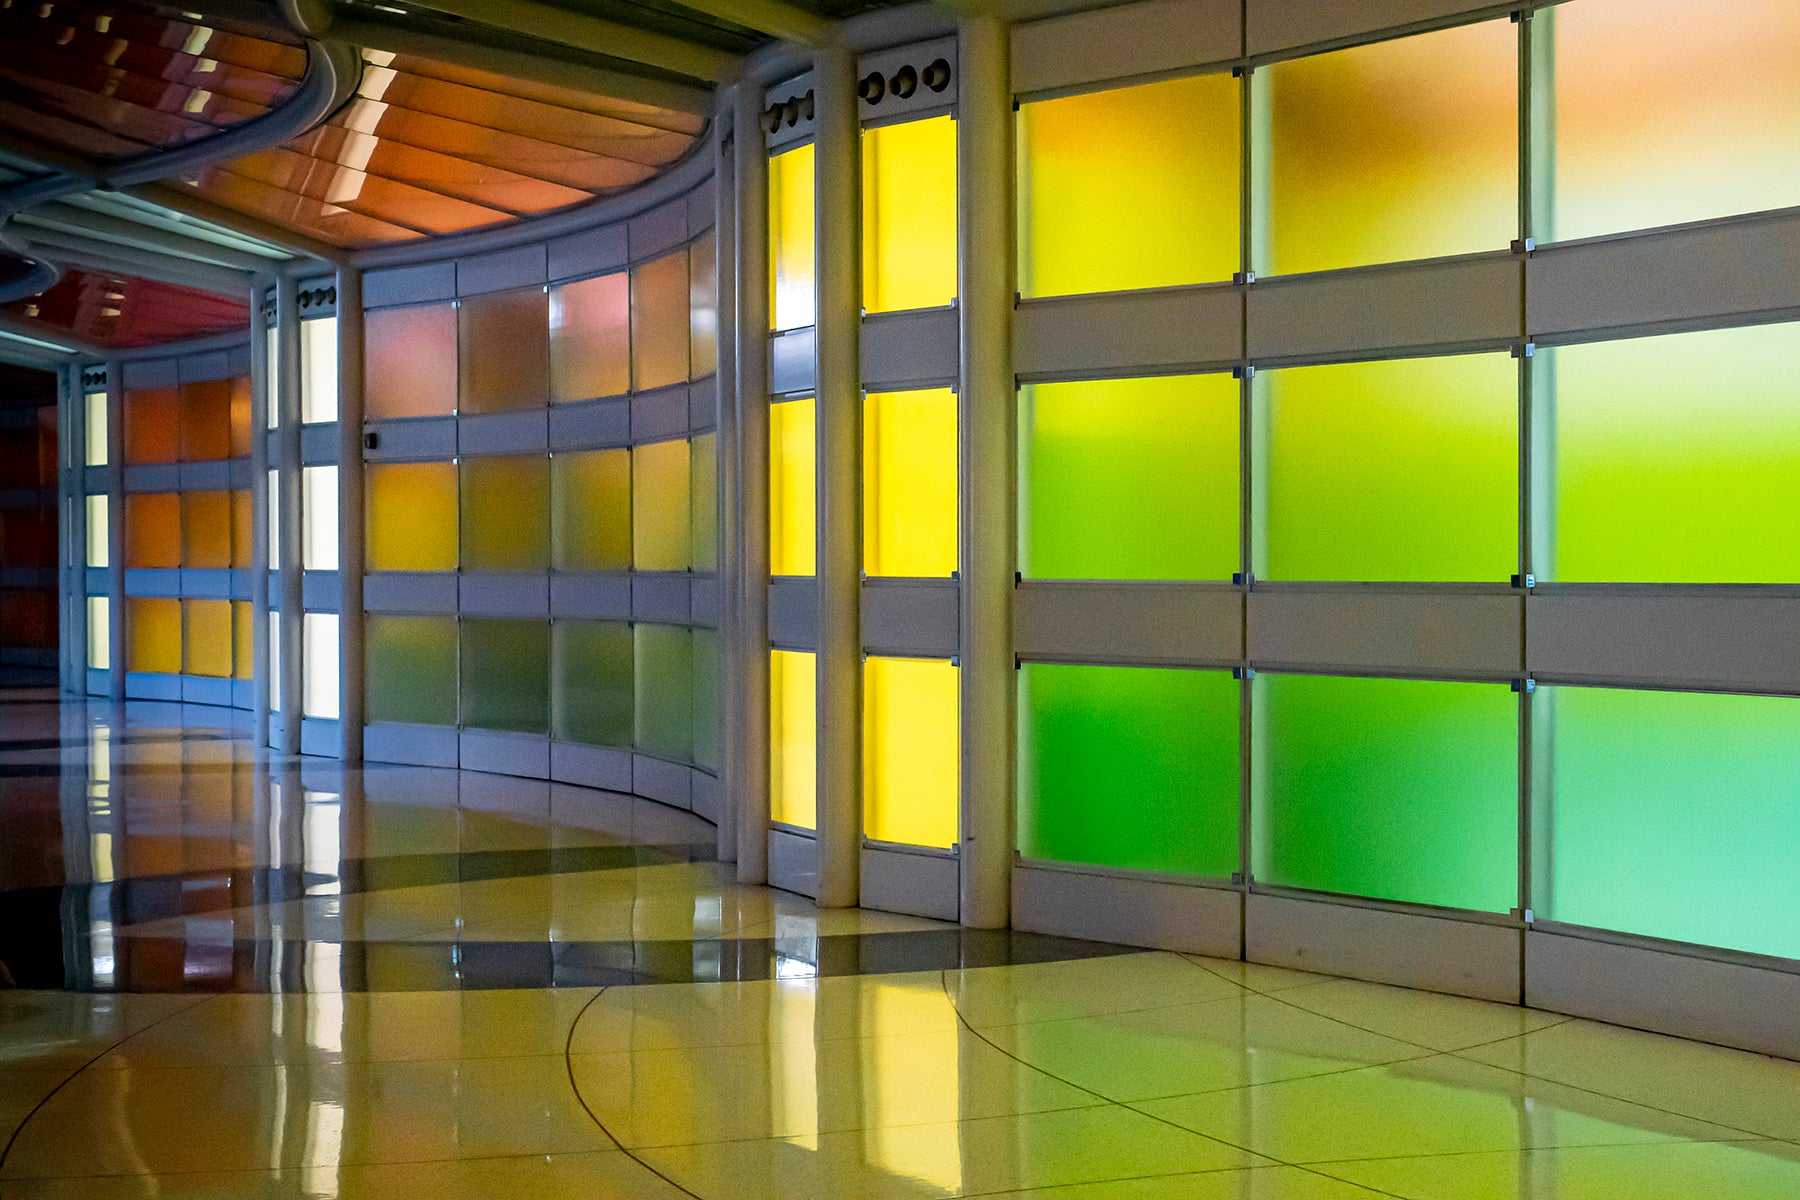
<point>910,483</point>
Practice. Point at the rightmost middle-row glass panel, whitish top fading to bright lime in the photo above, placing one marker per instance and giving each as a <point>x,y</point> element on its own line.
<point>1677,458</point>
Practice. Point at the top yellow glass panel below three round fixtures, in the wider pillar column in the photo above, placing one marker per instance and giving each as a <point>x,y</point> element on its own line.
<point>910,215</point>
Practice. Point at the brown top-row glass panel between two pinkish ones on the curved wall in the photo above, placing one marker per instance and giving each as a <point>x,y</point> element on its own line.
<point>503,352</point>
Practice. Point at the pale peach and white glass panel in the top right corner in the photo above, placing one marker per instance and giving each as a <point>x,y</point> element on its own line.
<point>1668,112</point>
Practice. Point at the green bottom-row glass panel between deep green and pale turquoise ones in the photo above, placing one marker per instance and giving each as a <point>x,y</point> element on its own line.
<point>1389,789</point>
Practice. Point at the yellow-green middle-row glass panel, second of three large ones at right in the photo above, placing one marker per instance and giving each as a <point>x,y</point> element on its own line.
<point>1392,470</point>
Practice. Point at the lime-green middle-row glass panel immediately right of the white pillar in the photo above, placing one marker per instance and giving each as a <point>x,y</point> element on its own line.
<point>1129,479</point>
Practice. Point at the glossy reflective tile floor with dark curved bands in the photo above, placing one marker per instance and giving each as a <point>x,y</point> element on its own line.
<point>228,978</point>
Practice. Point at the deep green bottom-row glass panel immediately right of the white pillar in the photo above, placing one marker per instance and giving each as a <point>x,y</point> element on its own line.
<point>1129,767</point>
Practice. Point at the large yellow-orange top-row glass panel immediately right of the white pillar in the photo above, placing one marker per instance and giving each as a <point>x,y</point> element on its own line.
<point>1131,188</point>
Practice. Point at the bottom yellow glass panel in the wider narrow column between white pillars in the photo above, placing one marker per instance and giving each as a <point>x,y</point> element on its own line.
<point>912,775</point>
